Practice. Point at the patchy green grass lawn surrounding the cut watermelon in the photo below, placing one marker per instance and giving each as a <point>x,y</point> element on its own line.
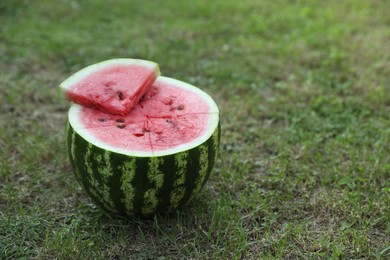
<point>303,88</point>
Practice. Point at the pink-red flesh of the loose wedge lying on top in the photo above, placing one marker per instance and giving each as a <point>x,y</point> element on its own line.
<point>118,93</point>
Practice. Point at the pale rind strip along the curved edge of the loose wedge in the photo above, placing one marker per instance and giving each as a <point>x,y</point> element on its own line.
<point>87,71</point>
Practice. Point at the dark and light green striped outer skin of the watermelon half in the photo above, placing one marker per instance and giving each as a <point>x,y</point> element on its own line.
<point>129,185</point>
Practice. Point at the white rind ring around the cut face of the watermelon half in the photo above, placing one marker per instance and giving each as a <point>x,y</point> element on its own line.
<point>212,124</point>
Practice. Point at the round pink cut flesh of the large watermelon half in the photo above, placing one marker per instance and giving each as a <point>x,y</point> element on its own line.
<point>166,116</point>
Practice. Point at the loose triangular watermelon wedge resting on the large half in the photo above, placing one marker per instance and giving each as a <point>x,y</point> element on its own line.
<point>113,86</point>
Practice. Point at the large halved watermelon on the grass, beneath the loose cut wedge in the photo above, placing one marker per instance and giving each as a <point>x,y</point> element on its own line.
<point>155,158</point>
